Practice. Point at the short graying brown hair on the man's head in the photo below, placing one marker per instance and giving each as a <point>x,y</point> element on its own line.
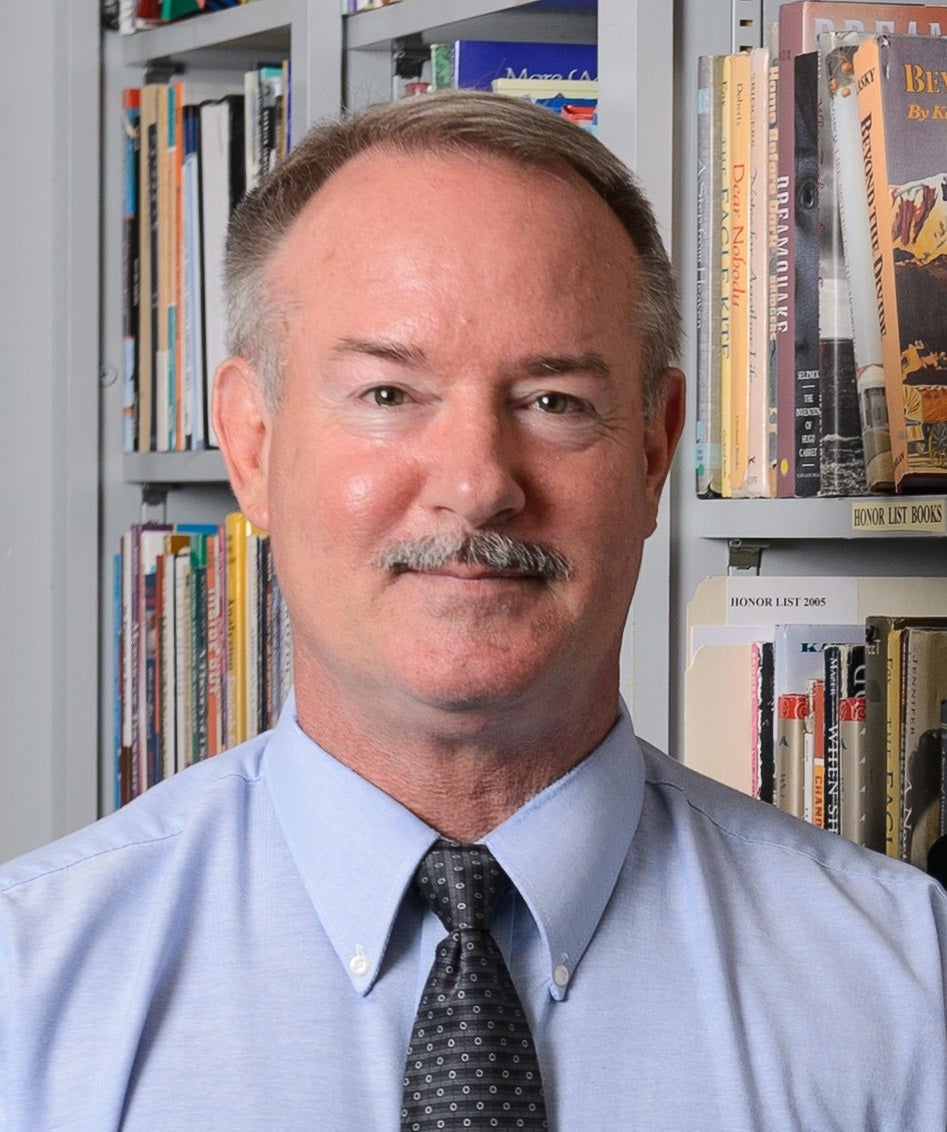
<point>443,123</point>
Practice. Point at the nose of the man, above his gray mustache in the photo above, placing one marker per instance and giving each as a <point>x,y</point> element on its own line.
<point>473,468</point>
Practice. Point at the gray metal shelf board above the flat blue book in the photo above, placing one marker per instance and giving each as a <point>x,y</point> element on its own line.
<point>484,20</point>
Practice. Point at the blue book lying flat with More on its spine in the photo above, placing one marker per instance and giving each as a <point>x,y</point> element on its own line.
<point>478,63</point>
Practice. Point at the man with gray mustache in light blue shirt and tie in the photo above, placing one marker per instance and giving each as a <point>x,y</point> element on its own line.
<point>453,406</point>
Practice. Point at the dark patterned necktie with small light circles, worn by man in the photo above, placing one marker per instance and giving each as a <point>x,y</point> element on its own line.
<point>471,1064</point>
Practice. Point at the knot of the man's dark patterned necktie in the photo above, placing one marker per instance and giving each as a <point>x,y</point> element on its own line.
<point>462,885</point>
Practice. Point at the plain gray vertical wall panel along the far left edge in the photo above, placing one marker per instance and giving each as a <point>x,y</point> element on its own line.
<point>49,424</point>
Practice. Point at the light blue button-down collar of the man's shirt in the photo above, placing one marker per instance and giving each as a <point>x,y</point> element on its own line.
<point>357,850</point>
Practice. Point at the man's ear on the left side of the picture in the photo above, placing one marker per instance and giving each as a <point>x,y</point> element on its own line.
<point>244,427</point>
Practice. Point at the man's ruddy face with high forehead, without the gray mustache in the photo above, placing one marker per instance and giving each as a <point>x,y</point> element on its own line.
<point>460,357</point>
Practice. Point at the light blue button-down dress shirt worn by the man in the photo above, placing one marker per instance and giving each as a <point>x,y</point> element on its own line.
<point>237,951</point>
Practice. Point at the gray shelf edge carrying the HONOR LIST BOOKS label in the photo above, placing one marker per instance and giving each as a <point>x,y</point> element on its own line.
<point>772,520</point>
